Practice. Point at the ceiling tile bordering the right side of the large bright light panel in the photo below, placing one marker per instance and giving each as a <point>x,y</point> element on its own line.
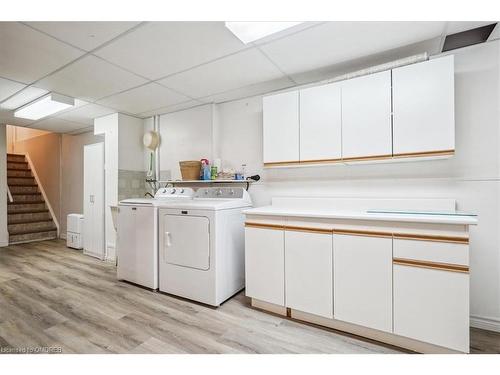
<point>334,42</point>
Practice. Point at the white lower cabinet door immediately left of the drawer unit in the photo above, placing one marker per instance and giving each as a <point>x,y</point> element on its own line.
<point>362,272</point>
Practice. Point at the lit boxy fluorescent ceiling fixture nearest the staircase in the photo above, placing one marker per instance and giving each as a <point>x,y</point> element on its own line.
<point>45,106</point>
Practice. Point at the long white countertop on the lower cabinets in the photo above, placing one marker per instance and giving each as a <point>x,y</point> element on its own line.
<point>435,218</point>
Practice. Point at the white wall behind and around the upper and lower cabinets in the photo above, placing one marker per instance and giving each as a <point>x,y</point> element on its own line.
<point>472,176</point>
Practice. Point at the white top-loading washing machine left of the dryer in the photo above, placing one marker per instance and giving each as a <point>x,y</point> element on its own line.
<point>137,235</point>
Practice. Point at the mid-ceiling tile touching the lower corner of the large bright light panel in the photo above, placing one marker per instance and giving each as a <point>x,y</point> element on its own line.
<point>229,73</point>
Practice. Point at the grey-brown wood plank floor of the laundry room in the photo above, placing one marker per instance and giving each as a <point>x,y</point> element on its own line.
<point>52,296</point>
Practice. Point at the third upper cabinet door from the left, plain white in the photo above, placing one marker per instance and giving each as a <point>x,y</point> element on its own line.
<point>366,116</point>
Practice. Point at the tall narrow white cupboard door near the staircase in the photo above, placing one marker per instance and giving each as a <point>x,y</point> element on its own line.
<point>93,201</point>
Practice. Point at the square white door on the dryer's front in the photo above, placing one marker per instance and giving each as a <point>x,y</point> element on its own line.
<point>186,241</point>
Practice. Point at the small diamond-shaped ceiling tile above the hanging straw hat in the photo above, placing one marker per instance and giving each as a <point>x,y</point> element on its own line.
<point>144,98</point>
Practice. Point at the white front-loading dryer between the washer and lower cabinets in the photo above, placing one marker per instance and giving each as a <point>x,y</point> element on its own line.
<point>202,245</point>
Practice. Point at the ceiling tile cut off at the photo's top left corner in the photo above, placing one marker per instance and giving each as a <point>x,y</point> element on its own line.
<point>26,55</point>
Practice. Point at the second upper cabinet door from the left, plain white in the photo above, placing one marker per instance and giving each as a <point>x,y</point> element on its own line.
<point>320,123</point>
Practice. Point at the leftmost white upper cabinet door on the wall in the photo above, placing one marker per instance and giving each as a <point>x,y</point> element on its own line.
<point>281,127</point>
